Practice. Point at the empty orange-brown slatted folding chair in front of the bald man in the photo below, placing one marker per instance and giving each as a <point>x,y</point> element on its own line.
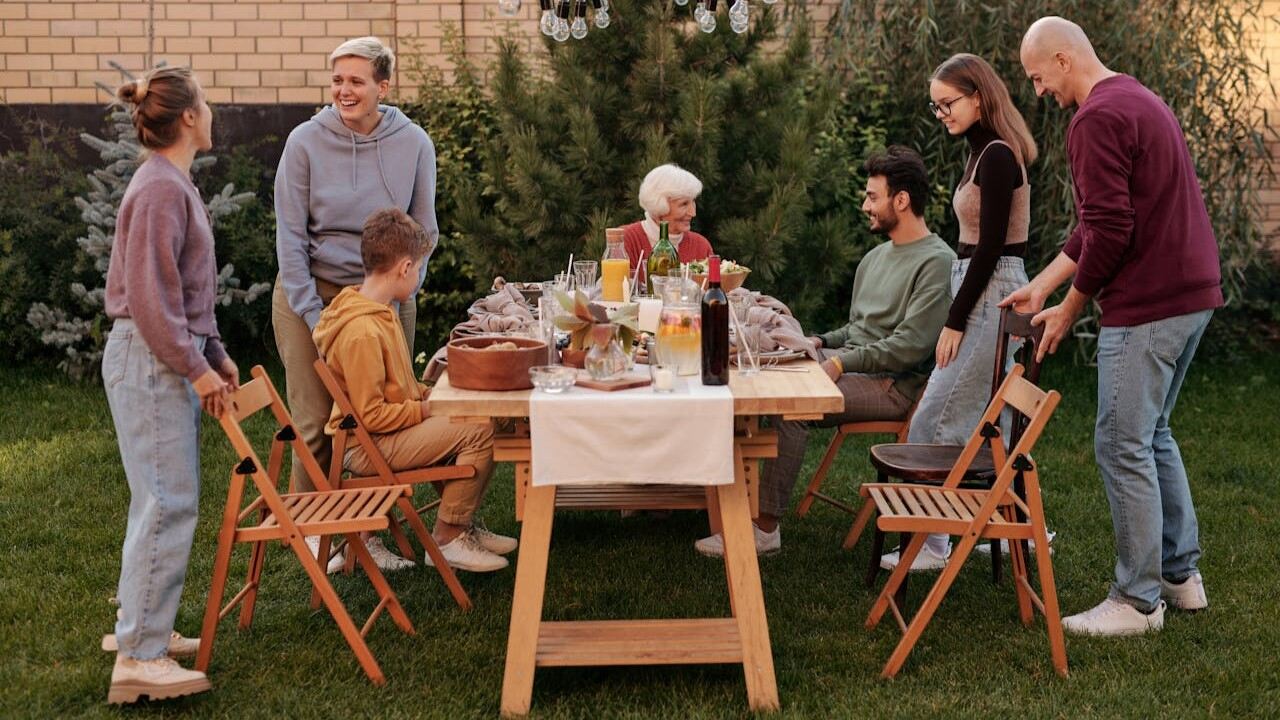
<point>999,513</point>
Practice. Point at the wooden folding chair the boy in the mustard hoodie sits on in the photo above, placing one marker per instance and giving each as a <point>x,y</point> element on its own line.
<point>350,426</point>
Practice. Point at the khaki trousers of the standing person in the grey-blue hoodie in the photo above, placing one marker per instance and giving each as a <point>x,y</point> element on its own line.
<point>310,404</point>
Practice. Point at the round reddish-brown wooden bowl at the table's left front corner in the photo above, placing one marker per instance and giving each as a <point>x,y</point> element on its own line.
<point>493,362</point>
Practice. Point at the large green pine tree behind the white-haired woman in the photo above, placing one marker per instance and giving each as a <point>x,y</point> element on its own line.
<point>748,115</point>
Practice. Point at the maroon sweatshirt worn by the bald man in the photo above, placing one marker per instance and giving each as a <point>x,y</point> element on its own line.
<point>1144,243</point>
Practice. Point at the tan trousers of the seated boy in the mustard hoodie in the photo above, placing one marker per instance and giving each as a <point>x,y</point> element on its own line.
<point>432,443</point>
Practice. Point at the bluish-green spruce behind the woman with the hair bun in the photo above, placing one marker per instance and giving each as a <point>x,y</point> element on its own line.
<point>81,332</point>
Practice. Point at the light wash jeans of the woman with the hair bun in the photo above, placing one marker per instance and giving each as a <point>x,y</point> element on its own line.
<point>157,416</point>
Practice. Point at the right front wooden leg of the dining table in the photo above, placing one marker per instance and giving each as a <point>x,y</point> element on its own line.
<point>744,587</point>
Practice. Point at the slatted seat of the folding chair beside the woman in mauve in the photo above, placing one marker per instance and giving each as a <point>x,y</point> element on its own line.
<point>330,512</point>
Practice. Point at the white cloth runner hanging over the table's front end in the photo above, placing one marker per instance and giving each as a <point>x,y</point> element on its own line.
<point>634,436</point>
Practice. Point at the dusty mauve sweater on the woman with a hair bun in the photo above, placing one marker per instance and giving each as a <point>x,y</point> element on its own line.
<point>163,271</point>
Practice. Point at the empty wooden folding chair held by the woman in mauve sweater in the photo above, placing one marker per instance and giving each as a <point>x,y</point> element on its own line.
<point>290,520</point>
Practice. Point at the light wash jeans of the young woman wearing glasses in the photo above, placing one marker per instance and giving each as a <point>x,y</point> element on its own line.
<point>959,394</point>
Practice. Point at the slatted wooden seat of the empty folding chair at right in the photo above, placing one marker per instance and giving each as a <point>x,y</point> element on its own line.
<point>915,509</point>
